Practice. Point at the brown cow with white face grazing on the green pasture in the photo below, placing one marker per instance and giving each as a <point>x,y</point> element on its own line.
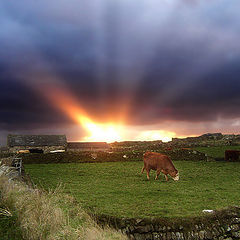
<point>161,163</point>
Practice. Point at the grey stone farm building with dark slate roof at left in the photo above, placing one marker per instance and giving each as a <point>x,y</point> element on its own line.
<point>46,143</point>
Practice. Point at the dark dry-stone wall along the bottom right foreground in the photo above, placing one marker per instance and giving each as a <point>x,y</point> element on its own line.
<point>220,225</point>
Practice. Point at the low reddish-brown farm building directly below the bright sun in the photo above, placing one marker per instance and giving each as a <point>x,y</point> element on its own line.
<point>87,146</point>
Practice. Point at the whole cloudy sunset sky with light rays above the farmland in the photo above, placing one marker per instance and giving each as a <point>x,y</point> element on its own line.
<point>142,68</point>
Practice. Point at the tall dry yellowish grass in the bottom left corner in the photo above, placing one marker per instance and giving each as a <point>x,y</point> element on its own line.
<point>50,215</point>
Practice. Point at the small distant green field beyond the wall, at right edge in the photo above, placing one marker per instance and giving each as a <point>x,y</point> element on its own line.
<point>216,152</point>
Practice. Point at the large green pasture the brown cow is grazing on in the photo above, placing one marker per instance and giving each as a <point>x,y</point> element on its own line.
<point>118,189</point>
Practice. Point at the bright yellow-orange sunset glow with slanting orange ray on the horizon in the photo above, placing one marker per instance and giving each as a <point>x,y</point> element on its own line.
<point>108,132</point>
